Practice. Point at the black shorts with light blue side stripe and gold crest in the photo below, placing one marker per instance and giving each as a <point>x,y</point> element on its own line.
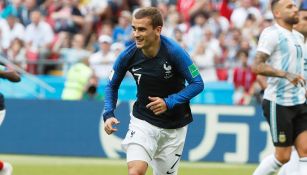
<point>286,122</point>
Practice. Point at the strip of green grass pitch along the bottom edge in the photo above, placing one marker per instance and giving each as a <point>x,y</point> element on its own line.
<point>51,165</point>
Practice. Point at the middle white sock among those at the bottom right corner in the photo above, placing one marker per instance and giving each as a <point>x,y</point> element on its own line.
<point>291,167</point>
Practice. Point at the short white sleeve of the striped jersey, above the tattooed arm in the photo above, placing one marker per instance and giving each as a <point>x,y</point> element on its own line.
<point>268,41</point>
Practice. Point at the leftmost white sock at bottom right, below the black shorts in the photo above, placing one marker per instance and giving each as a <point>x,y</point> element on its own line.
<point>268,166</point>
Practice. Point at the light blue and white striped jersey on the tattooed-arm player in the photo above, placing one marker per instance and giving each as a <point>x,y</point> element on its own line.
<point>287,52</point>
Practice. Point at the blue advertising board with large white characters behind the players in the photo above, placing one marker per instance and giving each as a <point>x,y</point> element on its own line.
<point>74,128</point>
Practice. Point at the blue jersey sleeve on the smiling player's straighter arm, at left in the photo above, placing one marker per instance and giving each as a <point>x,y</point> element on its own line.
<point>115,79</point>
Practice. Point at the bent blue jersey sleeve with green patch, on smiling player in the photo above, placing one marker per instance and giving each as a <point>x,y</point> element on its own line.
<point>190,72</point>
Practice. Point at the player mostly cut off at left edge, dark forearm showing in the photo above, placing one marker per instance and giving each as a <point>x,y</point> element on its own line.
<point>5,167</point>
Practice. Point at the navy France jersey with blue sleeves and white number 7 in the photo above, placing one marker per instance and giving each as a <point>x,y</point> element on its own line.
<point>163,76</point>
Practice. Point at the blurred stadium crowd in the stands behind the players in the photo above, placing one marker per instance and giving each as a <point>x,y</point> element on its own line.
<point>49,36</point>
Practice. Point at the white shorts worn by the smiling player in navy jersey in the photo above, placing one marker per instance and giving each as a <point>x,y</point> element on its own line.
<point>160,148</point>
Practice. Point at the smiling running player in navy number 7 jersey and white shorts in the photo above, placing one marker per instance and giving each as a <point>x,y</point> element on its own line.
<point>161,113</point>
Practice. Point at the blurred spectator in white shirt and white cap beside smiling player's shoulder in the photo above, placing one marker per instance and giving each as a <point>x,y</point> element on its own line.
<point>102,61</point>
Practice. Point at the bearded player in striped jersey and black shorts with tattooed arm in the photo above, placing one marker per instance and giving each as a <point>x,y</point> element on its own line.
<point>281,57</point>
